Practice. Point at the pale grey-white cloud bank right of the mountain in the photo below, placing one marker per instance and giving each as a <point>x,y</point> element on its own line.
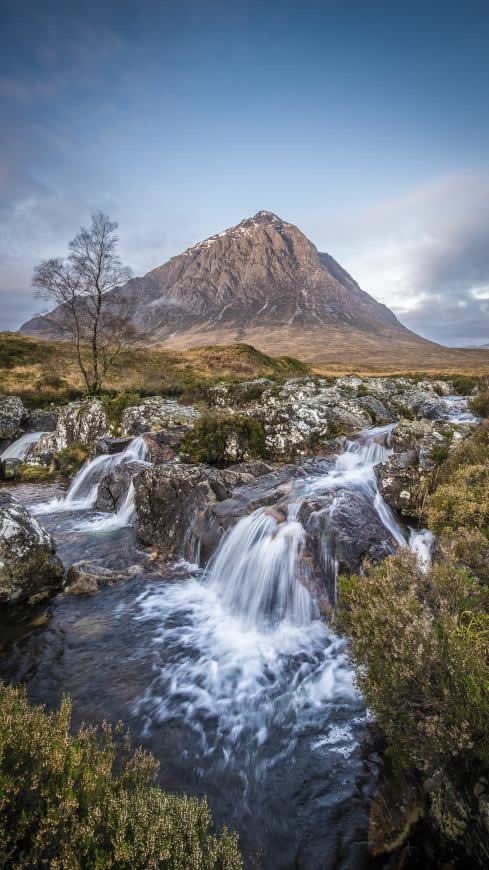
<point>426,255</point>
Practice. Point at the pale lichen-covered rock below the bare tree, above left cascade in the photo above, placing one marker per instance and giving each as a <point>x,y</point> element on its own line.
<point>83,422</point>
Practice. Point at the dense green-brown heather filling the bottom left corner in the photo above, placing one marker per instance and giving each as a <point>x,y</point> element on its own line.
<point>89,800</point>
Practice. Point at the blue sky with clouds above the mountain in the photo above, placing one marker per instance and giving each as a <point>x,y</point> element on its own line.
<point>365,124</point>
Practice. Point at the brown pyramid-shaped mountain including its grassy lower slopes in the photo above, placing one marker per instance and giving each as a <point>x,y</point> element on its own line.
<point>263,282</point>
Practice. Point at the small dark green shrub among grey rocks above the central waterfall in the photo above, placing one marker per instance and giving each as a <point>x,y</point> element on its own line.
<point>223,439</point>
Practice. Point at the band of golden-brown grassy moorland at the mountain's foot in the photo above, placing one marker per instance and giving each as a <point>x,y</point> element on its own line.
<point>43,371</point>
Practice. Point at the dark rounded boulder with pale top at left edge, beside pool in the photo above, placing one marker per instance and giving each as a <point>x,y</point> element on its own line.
<point>29,567</point>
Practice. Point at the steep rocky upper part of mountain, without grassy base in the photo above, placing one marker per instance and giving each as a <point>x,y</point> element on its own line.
<point>261,273</point>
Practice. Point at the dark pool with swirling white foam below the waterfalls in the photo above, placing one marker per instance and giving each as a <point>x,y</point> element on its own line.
<point>262,718</point>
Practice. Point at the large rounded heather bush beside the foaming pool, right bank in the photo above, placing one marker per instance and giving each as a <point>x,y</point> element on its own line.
<point>421,644</point>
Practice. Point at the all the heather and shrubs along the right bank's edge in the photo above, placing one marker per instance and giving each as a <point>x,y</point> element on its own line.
<point>420,643</point>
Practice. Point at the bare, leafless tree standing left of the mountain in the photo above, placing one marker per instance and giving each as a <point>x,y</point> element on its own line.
<point>91,311</point>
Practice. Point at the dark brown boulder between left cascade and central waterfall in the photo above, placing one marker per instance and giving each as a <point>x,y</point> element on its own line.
<point>171,501</point>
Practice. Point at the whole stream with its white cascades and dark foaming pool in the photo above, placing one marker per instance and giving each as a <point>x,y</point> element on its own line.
<point>227,674</point>
